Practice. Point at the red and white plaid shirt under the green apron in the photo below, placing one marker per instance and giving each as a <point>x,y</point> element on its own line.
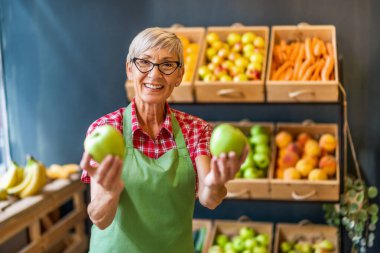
<point>197,134</point>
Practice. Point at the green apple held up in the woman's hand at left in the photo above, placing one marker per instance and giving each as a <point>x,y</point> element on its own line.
<point>105,140</point>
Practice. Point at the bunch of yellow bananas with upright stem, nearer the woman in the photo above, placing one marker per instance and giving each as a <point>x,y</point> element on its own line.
<point>34,180</point>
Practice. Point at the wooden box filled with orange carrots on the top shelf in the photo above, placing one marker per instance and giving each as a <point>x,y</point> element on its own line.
<point>303,65</point>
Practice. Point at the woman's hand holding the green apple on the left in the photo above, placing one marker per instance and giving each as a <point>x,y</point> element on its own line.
<point>107,174</point>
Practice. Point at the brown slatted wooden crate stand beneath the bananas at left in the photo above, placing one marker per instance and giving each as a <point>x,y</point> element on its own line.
<point>32,213</point>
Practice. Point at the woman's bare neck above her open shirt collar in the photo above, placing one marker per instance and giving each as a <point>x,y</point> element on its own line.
<point>150,117</point>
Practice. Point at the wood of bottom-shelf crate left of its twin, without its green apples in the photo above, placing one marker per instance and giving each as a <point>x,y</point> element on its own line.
<point>231,228</point>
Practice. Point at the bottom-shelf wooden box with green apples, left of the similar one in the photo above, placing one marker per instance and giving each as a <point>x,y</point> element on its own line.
<point>238,233</point>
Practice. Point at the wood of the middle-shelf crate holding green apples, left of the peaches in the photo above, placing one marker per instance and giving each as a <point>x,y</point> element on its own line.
<point>241,188</point>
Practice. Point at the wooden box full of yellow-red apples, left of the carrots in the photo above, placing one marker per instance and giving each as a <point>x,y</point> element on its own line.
<point>239,79</point>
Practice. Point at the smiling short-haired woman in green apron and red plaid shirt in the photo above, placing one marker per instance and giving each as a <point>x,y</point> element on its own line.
<point>145,203</point>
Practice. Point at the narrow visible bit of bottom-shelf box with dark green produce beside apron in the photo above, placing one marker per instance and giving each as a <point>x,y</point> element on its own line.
<point>202,230</point>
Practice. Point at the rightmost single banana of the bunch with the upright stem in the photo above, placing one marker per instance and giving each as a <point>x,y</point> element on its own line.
<point>38,180</point>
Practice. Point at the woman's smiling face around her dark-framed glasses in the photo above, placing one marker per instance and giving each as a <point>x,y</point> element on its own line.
<point>154,87</point>
